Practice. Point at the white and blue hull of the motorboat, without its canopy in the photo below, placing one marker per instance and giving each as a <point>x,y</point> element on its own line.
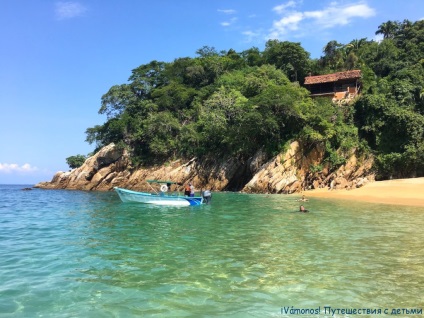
<point>157,199</point>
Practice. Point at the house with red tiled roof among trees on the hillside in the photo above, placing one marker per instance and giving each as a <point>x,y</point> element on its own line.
<point>342,87</point>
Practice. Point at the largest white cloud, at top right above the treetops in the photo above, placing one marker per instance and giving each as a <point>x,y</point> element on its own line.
<point>332,16</point>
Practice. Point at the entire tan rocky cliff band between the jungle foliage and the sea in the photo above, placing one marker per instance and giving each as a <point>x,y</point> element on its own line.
<point>296,170</point>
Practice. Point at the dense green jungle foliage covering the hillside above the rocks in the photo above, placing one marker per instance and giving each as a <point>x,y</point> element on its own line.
<point>233,104</point>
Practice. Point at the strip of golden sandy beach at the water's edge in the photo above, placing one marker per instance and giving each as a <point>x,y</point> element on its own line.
<point>399,192</point>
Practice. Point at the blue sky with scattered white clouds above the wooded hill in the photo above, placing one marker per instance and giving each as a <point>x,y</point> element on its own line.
<point>58,58</point>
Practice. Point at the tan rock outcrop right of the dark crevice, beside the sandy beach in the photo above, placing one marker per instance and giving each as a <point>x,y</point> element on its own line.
<point>302,169</point>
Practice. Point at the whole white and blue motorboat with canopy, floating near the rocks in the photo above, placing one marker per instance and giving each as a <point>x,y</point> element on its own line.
<point>162,197</point>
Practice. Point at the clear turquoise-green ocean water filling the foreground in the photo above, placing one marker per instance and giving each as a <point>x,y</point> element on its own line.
<point>87,254</point>
